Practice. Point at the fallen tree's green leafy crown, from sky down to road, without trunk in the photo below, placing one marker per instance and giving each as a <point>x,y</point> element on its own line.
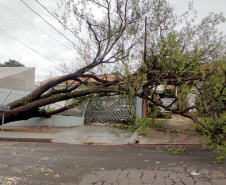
<point>178,48</point>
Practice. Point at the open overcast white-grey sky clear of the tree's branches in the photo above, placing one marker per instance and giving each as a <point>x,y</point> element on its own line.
<point>21,30</point>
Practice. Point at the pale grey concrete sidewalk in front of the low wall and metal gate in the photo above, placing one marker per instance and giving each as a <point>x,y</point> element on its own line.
<point>86,134</point>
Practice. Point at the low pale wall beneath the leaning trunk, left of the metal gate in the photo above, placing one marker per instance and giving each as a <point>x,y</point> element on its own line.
<point>56,120</point>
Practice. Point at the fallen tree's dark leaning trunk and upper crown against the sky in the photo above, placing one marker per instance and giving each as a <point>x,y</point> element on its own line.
<point>116,37</point>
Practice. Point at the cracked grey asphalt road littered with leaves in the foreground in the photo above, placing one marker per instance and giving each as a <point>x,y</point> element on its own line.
<point>64,164</point>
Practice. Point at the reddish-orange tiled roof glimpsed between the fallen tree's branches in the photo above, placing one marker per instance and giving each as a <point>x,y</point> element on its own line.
<point>104,77</point>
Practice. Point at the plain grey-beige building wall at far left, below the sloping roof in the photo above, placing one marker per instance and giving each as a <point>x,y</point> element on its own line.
<point>23,80</point>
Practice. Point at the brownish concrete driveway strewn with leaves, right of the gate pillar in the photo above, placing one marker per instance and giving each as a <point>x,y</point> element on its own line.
<point>177,133</point>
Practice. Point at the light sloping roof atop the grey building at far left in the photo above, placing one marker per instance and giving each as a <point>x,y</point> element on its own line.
<point>7,71</point>
